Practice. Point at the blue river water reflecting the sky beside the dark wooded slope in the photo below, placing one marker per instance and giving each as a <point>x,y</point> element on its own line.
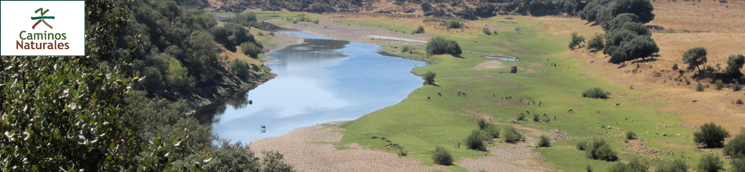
<point>318,81</point>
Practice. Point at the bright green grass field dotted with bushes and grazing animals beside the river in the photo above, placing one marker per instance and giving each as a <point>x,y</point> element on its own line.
<point>418,124</point>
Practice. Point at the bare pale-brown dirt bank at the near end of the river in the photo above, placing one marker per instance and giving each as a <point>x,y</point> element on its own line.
<point>306,150</point>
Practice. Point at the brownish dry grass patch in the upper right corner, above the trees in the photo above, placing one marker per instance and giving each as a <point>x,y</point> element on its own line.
<point>706,16</point>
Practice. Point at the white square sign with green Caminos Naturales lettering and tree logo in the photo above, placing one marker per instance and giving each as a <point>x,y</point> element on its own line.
<point>42,28</point>
